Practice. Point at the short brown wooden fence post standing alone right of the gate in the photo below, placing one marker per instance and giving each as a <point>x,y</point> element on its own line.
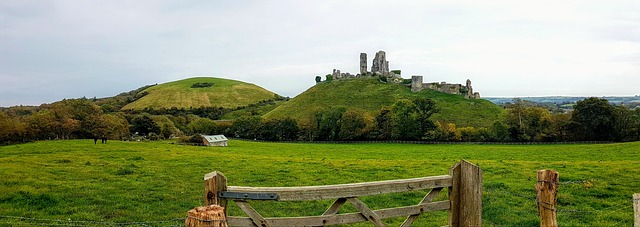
<point>546,195</point>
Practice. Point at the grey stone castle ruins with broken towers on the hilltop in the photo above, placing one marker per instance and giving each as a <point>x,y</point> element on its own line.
<point>380,68</point>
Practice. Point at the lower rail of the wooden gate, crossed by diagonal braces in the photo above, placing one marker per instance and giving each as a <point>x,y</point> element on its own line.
<point>342,218</point>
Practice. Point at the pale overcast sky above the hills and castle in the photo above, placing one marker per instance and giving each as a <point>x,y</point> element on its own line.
<point>50,50</point>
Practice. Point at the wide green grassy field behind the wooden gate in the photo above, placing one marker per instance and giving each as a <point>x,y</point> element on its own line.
<point>156,181</point>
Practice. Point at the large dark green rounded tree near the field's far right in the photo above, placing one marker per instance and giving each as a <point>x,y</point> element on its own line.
<point>594,119</point>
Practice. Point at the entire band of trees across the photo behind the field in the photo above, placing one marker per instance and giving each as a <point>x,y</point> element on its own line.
<point>593,119</point>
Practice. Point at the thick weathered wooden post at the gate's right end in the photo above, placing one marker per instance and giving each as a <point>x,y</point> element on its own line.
<point>465,195</point>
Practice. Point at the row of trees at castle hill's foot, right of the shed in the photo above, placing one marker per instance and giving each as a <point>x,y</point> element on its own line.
<point>593,119</point>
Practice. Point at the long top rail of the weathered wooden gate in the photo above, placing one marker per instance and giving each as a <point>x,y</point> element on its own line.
<point>349,190</point>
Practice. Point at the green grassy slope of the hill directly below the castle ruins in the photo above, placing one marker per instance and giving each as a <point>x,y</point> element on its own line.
<point>370,95</point>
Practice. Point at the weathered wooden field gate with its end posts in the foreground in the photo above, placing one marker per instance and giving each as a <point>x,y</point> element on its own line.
<point>463,190</point>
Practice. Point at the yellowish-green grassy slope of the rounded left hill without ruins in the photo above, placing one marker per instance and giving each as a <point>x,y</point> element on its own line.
<point>224,93</point>
